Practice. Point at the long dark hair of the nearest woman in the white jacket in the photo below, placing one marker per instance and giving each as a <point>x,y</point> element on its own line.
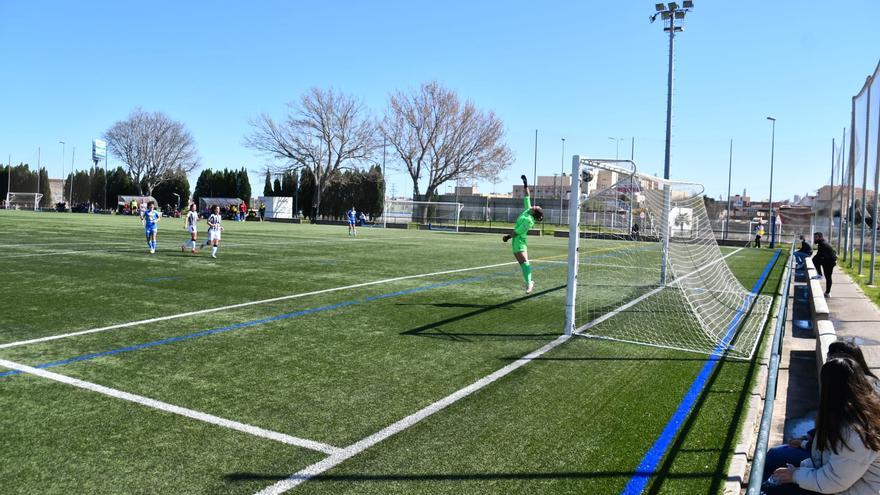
<point>847,400</point>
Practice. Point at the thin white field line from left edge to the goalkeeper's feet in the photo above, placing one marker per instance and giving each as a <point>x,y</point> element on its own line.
<point>246,304</point>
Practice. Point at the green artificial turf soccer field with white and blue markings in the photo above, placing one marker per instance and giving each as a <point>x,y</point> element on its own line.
<point>331,364</point>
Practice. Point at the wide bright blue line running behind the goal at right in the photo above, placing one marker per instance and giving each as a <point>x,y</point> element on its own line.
<point>652,458</point>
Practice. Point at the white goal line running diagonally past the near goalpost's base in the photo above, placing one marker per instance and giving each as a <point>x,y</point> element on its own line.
<point>356,448</point>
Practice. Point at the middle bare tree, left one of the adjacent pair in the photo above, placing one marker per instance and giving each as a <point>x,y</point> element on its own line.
<point>326,131</point>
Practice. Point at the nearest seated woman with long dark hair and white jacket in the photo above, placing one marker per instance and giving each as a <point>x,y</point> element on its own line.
<point>845,455</point>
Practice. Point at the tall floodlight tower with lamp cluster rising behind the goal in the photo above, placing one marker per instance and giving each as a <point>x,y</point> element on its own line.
<point>670,13</point>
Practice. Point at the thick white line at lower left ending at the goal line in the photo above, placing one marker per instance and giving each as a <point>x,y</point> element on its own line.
<point>170,408</point>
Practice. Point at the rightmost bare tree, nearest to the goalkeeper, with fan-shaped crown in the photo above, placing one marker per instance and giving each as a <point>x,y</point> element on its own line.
<point>439,138</point>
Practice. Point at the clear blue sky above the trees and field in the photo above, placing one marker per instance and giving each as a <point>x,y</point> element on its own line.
<point>582,70</point>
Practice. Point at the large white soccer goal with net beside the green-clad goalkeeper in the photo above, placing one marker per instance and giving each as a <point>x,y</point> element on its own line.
<point>646,269</point>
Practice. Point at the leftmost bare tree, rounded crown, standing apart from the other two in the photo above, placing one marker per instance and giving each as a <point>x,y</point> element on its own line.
<point>153,147</point>
